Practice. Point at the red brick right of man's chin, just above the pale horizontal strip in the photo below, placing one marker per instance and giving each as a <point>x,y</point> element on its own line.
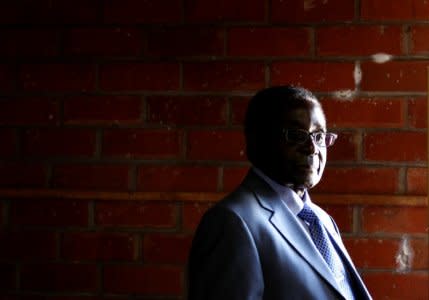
<point>359,180</point>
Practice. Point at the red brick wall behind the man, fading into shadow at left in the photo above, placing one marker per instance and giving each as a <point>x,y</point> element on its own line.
<point>120,123</point>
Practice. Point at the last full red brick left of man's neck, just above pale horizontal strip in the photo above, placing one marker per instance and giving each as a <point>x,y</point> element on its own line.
<point>180,178</point>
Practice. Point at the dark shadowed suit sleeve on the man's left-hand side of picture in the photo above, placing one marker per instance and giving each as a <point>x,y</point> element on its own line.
<point>224,262</point>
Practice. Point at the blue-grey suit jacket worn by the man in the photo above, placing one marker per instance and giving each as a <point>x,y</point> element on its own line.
<point>250,246</point>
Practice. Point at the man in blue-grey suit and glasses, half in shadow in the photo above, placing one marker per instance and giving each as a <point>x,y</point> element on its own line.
<point>267,240</point>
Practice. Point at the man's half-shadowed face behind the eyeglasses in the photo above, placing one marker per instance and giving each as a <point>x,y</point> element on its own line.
<point>301,164</point>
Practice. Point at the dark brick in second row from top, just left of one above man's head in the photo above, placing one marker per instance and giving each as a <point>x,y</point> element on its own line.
<point>186,41</point>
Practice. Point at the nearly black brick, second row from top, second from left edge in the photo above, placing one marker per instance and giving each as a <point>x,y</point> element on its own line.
<point>104,41</point>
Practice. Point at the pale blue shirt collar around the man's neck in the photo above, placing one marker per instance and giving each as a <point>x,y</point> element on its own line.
<point>288,196</point>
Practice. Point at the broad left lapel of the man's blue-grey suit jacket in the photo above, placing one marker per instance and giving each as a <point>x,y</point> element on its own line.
<point>288,227</point>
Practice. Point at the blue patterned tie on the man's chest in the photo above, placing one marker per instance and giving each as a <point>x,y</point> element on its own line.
<point>326,248</point>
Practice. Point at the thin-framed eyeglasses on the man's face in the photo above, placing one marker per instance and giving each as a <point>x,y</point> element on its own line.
<point>300,136</point>
